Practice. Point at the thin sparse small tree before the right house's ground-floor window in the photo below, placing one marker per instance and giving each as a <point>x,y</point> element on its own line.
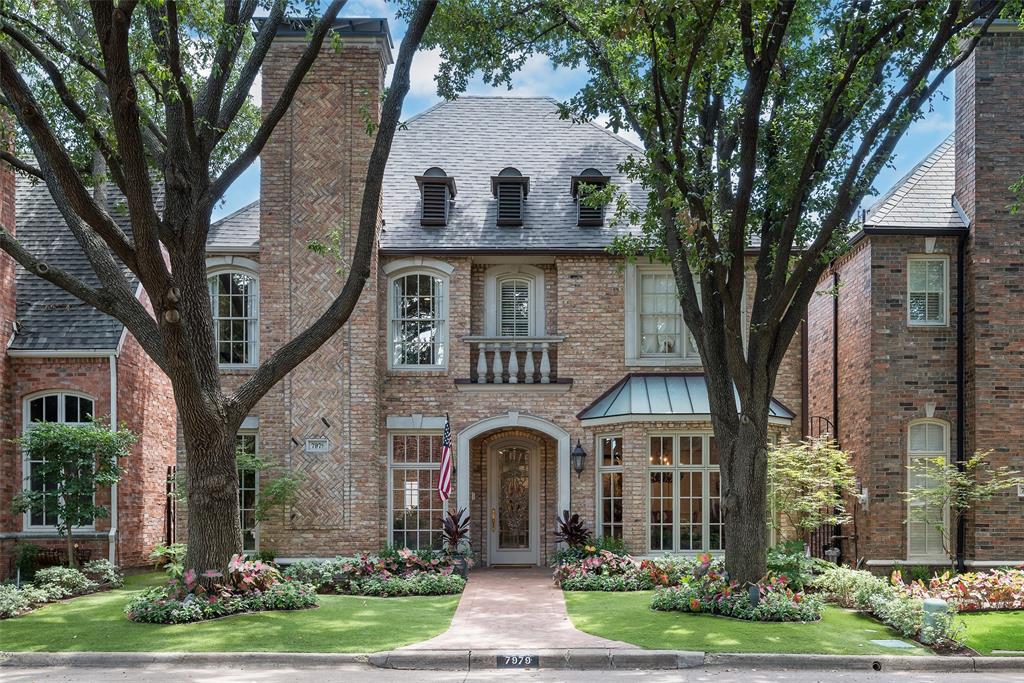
<point>946,486</point>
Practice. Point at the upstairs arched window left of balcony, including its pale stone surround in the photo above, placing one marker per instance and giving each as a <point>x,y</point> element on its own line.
<point>418,316</point>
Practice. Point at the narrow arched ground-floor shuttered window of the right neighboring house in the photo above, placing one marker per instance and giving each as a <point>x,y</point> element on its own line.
<point>926,441</point>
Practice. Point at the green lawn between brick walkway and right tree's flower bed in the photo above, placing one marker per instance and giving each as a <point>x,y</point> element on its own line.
<point>628,617</point>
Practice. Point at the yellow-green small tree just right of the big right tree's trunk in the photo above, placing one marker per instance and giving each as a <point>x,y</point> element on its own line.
<point>808,483</point>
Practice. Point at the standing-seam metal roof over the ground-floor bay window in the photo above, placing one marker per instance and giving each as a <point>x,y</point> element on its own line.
<point>666,396</point>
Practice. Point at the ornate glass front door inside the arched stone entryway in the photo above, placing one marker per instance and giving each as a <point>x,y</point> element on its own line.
<point>514,530</point>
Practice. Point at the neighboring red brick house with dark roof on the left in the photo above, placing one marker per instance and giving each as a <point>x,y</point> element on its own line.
<point>64,361</point>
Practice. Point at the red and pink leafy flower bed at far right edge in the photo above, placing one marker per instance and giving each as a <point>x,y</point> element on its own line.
<point>999,589</point>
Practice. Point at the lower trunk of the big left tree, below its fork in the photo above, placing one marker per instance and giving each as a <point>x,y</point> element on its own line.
<point>215,529</point>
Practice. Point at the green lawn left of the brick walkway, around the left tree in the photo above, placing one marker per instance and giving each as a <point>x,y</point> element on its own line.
<point>342,624</point>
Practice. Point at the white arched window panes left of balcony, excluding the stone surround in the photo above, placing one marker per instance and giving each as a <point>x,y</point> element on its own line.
<point>418,319</point>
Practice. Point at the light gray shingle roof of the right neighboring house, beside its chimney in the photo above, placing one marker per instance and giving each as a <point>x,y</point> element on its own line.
<point>922,199</point>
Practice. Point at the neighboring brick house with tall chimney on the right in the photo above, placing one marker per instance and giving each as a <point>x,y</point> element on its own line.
<point>920,368</point>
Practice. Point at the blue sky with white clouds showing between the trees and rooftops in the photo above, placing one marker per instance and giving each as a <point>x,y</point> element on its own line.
<point>539,78</point>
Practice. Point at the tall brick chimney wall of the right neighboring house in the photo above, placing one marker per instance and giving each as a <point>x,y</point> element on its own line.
<point>990,158</point>
